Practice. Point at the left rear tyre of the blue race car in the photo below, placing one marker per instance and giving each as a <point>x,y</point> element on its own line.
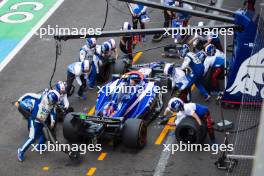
<point>70,129</point>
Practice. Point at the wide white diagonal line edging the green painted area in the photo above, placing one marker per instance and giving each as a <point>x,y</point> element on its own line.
<point>20,45</point>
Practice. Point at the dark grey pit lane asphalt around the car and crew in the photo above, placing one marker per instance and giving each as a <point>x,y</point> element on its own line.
<point>30,71</point>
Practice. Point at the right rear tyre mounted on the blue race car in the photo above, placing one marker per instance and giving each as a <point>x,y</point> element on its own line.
<point>134,134</point>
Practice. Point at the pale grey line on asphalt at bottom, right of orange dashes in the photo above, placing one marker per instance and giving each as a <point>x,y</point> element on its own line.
<point>164,157</point>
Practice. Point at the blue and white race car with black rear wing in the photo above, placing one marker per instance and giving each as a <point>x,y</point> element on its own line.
<point>121,114</point>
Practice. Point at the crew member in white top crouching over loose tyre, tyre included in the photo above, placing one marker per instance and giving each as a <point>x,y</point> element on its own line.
<point>191,119</point>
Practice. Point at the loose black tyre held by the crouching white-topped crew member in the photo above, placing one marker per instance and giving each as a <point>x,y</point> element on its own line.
<point>189,131</point>
